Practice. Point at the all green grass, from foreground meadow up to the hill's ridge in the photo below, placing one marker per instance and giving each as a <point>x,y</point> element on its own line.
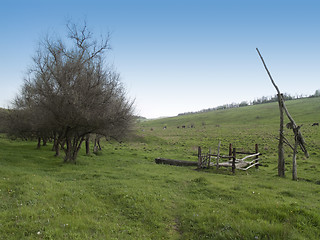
<point>122,194</point>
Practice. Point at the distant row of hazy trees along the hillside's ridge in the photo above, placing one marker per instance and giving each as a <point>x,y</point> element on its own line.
<point>262,100</point>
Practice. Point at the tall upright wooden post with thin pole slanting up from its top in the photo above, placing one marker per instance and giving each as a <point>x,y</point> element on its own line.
<point>281,161</point>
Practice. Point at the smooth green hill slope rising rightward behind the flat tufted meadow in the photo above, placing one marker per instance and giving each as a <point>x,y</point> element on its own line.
<point>303,110</point>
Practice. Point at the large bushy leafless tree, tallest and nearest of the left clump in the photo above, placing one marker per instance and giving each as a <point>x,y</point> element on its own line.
<point>72,92</point>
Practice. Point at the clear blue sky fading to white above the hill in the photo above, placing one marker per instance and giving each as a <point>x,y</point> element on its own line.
<point>178,56</point>
